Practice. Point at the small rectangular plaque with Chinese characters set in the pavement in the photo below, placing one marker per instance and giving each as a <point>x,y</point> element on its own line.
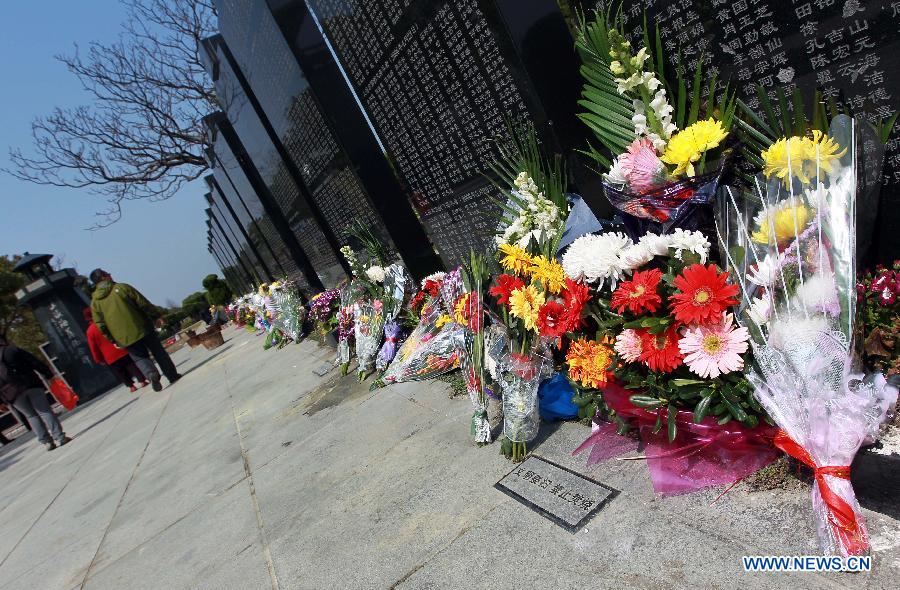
<point>567,498</point>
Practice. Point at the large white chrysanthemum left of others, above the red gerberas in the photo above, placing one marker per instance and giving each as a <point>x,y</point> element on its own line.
<point>596,258</point>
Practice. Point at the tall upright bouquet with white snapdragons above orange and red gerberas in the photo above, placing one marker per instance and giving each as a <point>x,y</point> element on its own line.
<point>534,301</point>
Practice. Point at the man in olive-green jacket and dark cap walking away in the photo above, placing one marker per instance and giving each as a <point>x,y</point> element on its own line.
<point>126,318</point>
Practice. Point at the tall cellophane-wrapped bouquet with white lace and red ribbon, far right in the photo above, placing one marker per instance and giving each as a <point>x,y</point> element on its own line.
<point>791,244</point>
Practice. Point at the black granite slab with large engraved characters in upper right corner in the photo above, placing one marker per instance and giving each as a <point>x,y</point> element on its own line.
<point>848,49</point>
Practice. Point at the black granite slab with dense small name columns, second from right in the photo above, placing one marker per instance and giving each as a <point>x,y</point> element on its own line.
<point>440,81</point>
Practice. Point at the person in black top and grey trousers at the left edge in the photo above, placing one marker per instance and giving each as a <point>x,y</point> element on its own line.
<point>21,387</point>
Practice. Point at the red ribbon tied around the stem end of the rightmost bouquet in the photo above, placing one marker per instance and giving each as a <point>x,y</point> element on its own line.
<point>840,514</point>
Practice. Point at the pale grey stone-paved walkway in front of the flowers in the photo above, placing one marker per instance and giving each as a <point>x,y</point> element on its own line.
<point>253,473</point>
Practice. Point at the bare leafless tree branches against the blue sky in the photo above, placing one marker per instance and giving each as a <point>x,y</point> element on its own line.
<point>142,138</point>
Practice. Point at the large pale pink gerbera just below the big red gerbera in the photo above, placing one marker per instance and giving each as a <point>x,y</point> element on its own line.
<point>714,349</point>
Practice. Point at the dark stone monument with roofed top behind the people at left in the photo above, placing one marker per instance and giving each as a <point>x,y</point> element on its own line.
<point>57,304</point>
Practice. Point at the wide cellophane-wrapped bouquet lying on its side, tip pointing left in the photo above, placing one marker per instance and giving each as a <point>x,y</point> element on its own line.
<point>432,349</point>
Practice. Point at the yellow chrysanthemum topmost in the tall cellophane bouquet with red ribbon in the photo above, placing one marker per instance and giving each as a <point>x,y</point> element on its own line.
<point>801,157</point>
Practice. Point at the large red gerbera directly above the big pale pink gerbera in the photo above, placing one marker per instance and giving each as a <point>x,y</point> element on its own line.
<point>704,294</point>
